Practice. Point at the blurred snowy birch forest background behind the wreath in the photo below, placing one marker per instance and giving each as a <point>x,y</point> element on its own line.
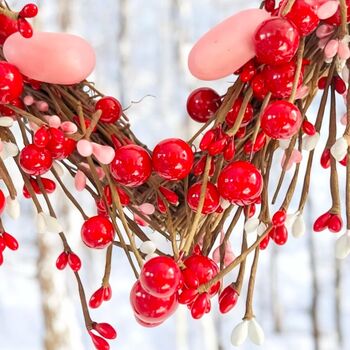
<point>301,297</point>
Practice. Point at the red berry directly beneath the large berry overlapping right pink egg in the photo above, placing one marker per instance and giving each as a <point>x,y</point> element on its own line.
<point>279,79</point>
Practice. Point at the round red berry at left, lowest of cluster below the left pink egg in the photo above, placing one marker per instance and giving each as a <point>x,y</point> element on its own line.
<point>35,160</point>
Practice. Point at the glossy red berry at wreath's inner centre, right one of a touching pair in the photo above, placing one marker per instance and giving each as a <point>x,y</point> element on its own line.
<point>172,159</point>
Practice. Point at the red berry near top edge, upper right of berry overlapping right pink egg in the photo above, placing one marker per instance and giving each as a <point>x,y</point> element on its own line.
<point>304,17</point>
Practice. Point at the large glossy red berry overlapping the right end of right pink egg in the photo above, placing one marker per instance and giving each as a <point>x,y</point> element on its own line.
<point>276,41</point>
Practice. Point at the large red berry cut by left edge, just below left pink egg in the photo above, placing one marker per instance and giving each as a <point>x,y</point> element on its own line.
<point>11,82</point>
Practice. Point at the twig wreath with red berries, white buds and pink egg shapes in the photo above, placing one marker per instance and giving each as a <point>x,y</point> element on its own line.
<point>185,191</point>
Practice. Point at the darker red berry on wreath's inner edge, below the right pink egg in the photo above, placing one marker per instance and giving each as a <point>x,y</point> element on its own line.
<point>202,104</point>
